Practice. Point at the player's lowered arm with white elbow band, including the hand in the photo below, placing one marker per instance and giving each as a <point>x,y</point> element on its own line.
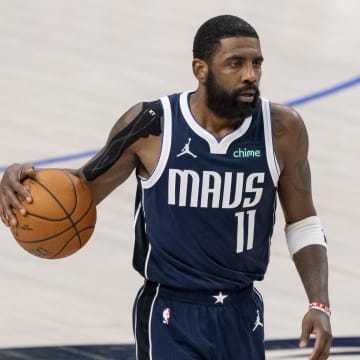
<point>306,240</point>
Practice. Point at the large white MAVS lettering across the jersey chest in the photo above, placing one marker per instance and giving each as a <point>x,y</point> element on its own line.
<point>210,189</point>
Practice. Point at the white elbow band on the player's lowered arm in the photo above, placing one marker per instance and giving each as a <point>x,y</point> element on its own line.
<point>304,233</point>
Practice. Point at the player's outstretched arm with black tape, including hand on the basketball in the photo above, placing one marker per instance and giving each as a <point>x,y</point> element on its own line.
<point>108,169</point>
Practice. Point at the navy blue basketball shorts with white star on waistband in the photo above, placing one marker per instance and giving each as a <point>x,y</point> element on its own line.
<point>179,324</point>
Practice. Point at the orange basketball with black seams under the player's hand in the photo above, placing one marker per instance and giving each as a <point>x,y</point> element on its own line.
<point>61,218</point>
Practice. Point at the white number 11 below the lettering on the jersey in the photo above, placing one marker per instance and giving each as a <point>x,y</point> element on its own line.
<point>245,219</point>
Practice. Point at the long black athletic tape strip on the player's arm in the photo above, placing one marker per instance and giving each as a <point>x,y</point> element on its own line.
<point>148,122</point>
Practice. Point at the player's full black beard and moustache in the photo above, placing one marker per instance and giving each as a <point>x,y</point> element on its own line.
<point>227,104</point>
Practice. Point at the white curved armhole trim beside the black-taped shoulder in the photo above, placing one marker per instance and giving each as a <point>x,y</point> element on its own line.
<point>165,146</point>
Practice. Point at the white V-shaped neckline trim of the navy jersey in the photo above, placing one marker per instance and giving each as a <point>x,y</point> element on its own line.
<point>216,146</point>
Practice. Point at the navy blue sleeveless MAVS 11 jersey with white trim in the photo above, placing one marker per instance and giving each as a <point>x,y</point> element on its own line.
<point>205,216</point>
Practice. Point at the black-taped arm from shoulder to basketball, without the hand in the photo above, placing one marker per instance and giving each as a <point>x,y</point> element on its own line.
<point>131,137</point>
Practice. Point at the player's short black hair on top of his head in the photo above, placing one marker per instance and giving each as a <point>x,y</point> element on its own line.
<point>207,38</point>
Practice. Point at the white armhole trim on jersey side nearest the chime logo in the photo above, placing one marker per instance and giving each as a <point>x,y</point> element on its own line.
<point>270,152</point>
